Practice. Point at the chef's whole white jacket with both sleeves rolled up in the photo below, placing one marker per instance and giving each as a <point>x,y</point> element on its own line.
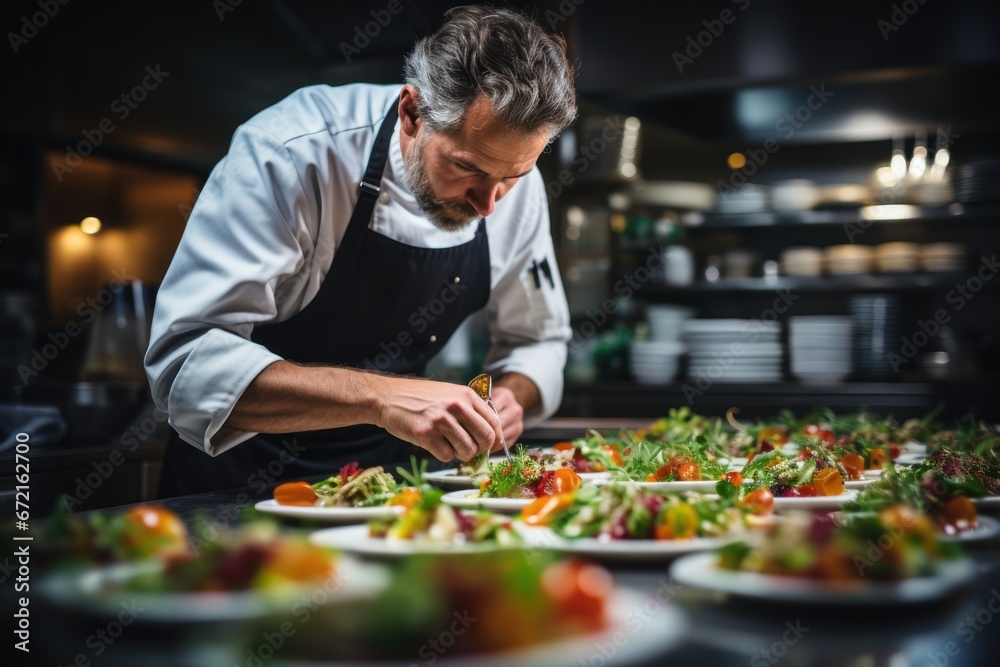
<point>262,236</point>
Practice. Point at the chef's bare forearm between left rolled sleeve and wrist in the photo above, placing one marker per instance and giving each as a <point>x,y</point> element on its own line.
<point>286,397</point>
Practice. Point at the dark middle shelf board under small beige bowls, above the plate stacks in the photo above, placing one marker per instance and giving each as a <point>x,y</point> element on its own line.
<point>832,283</point>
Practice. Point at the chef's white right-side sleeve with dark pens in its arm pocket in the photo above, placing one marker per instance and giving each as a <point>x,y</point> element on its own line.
<point>528,320</point>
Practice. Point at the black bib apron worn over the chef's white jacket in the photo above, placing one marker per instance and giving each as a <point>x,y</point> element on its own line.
<point>384,305</point>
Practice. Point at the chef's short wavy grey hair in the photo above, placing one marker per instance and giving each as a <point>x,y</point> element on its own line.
<point>499,54</point>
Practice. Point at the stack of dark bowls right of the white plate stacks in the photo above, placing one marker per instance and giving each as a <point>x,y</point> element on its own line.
<point>876,334</point>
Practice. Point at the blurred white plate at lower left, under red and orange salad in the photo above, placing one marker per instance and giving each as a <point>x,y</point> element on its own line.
<point>99,592</point>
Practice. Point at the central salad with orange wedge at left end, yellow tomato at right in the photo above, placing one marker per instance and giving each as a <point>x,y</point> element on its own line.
<point>630,512</point>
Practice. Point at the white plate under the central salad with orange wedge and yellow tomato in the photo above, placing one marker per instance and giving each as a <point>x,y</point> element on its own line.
<point>545,538</point>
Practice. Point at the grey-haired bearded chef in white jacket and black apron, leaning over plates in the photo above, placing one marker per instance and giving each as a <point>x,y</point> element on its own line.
<point>342,240</point>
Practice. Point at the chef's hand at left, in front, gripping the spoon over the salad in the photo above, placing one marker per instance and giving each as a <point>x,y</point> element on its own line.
<point>449,420</point>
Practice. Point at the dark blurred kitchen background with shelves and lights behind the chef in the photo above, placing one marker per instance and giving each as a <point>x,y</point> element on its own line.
<point>753,160</point>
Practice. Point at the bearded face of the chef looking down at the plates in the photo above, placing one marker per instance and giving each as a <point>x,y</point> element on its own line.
<point>458,177</point>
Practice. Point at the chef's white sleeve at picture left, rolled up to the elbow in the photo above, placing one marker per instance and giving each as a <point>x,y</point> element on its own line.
<point>243,247</point>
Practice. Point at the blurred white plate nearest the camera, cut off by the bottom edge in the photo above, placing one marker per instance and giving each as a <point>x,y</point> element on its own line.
<point>664,627</point>
